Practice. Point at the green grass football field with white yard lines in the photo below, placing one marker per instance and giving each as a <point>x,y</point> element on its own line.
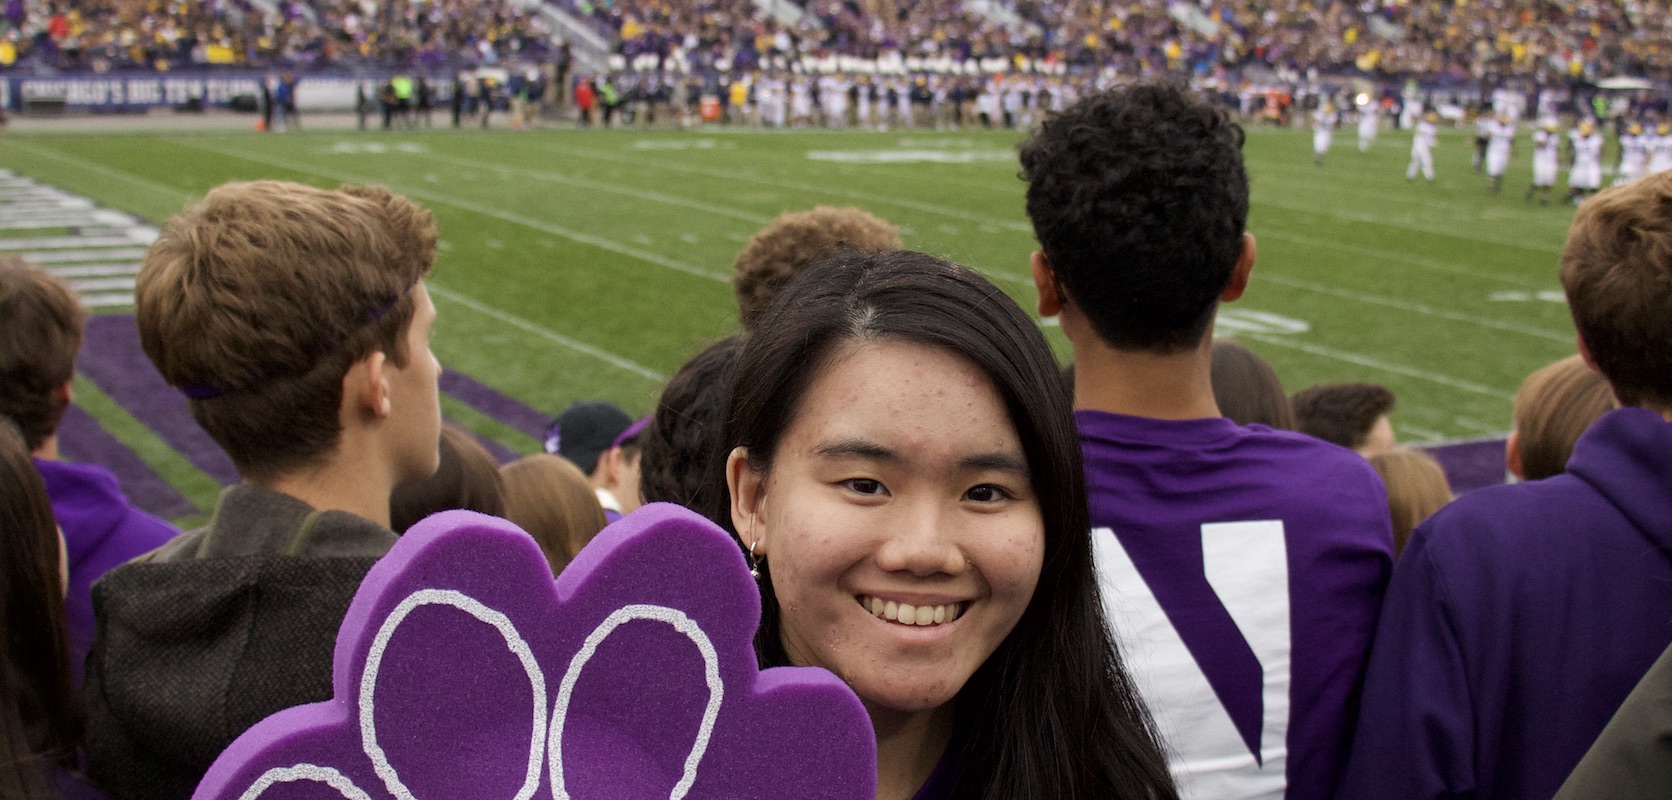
<point>591,265</point>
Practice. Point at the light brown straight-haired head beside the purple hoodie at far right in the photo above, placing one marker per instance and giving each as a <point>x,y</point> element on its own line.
<point>1552,409</point>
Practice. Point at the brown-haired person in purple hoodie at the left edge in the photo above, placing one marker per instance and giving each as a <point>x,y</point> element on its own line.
<point>41,332</point>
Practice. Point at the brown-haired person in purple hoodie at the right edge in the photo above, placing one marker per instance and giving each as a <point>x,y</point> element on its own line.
<point>1521,617</point>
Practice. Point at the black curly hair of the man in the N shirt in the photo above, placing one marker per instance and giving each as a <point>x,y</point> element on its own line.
<point>1139,202</point>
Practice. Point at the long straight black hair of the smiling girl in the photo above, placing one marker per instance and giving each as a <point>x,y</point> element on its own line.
<point>1053,712</point>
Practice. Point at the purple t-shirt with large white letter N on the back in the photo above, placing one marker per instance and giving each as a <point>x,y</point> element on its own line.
<point>1241,572</point>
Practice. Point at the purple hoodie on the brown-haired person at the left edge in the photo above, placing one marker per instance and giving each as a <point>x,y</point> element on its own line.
<point>101,531</point>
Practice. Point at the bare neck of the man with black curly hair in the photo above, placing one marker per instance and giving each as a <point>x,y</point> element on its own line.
<point>1139,384</point>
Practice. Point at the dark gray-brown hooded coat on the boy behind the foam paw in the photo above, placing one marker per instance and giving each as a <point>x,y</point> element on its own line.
<point>213,632</point>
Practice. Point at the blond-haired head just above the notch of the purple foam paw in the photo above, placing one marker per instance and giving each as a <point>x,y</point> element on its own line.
<point>553,501</point>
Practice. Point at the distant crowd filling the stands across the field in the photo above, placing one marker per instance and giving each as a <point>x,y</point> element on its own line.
<point>1442,41</point>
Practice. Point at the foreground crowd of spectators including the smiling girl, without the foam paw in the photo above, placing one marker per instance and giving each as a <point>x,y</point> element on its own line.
<point>1128,580</point>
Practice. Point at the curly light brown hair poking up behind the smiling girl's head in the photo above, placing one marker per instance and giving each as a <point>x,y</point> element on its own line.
<point>797,240</point>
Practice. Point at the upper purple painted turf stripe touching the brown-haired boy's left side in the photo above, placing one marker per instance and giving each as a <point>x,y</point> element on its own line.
<point>113,359</point>
